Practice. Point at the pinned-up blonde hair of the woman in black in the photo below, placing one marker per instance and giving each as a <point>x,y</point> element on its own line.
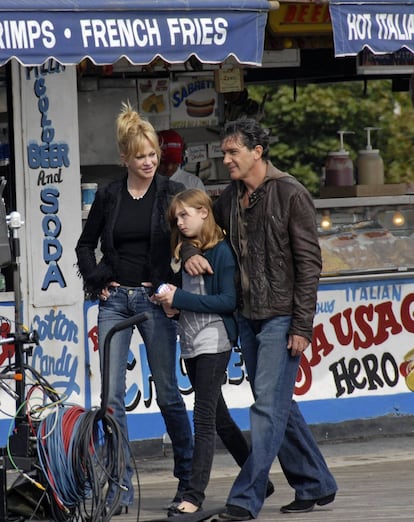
<point>133,131</point>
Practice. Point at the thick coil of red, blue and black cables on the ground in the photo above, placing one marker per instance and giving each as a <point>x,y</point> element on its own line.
<point>82,456</point>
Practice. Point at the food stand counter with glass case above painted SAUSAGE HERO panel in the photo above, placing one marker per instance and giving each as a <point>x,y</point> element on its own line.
<point>362,350</point>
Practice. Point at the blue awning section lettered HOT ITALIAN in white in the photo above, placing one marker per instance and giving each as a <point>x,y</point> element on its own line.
<point>383,26</point>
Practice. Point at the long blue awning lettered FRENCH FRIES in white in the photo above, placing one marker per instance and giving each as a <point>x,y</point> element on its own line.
<point>139,30</point>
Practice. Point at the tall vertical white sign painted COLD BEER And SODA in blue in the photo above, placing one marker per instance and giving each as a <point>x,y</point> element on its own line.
<point>51,155</point>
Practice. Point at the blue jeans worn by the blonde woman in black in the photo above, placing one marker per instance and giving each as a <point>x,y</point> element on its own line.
<point>160,338</point>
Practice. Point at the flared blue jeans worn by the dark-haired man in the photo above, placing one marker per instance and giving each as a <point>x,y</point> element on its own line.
<point>277,426</point>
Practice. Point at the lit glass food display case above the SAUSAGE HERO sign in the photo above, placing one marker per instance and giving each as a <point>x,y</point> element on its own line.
<point>366,237</point>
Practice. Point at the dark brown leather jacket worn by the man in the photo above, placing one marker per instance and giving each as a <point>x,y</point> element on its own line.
<point>284,259</point>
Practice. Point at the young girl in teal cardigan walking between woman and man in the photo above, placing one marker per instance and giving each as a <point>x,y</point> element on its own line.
<point>208,332</point>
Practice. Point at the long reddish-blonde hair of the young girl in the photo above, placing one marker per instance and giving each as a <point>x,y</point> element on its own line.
<point>211,233</point>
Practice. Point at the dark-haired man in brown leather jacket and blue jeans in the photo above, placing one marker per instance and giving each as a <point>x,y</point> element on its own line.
<point>271,225</point>
